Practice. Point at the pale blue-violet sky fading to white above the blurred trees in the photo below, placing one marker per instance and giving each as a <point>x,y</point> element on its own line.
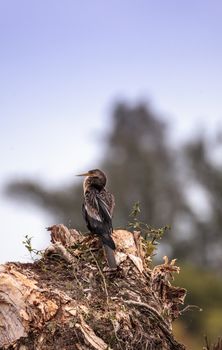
<point>64,63</point>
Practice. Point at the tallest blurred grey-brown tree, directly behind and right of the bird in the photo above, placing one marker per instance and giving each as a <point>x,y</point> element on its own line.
<point>142,167</point>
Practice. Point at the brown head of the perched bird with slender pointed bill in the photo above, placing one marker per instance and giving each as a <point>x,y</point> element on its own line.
<point>94,178</point>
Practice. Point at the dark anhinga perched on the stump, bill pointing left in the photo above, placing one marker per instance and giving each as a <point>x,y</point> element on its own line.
<point>98,210</point>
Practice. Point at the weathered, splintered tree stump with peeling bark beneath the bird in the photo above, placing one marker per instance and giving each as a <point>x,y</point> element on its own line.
<point>70,300</point>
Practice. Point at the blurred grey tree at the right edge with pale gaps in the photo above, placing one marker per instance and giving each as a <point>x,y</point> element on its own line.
<point>206,173</point>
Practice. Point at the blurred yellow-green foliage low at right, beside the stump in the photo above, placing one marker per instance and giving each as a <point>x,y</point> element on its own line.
<point>204,290</point>
